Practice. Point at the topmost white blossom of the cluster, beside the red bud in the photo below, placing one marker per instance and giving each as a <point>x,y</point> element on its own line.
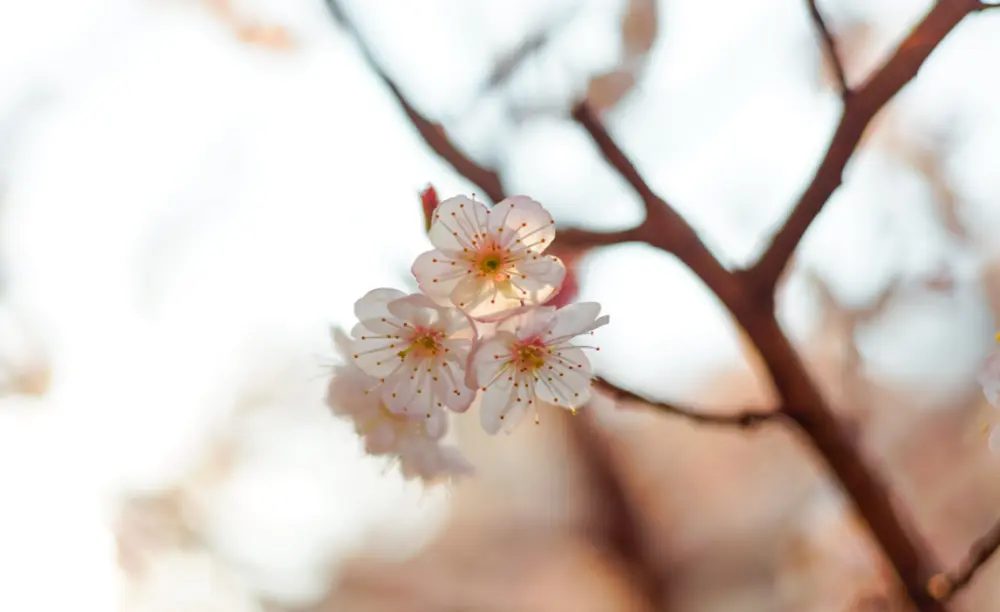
<point>488,261</point>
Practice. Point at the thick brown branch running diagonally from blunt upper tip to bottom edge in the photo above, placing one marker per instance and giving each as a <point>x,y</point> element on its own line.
<point>801,400</point>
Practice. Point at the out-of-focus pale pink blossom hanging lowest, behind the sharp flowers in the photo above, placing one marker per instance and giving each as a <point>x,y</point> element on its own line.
<point>413,439</point>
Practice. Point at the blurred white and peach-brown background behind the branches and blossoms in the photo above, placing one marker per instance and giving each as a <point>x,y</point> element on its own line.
<point>193,191</point>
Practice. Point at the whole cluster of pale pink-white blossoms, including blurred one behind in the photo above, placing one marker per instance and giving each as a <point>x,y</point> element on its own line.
<point>478,332</point>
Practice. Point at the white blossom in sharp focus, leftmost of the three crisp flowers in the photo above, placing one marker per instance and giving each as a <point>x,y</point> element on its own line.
<point>416,349</point>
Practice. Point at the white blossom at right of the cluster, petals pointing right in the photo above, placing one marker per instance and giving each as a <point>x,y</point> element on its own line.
<point>530,360</point>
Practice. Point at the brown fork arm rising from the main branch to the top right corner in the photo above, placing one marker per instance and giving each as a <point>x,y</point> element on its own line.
<point>859,109</point>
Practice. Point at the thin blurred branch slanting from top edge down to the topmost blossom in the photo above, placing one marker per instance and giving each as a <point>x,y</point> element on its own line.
<point>432,133</point>
